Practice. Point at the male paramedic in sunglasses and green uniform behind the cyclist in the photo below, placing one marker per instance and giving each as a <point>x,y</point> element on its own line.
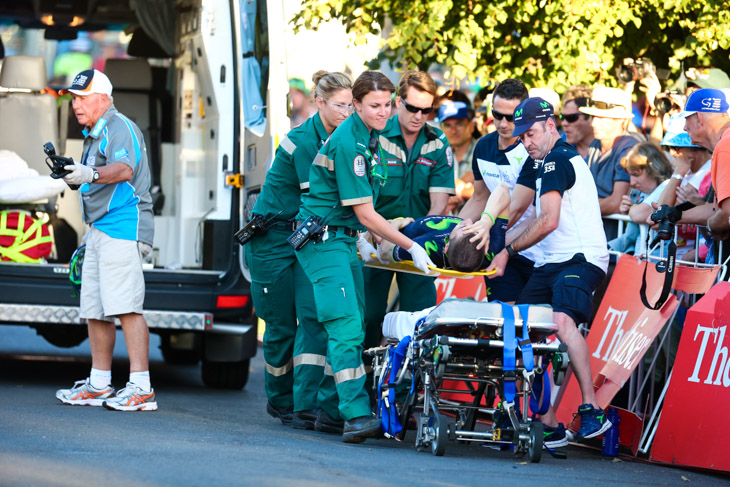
<point>420,180</point>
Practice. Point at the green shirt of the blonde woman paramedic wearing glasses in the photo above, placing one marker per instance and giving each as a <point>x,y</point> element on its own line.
<point>288,176</point>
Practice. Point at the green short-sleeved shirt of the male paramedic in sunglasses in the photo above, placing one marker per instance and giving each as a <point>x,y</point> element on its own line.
<point>430,169</point>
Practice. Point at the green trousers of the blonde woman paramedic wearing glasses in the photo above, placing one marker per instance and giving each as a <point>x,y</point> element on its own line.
<point>294,355</point>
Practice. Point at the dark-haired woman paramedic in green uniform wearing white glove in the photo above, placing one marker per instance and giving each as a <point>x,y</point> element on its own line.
<point>345,179</point>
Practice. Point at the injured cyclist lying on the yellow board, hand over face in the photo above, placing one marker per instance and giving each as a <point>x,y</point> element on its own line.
<point>447,238</point>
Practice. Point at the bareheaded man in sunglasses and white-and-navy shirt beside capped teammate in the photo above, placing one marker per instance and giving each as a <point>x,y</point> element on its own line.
<point>500,157</point>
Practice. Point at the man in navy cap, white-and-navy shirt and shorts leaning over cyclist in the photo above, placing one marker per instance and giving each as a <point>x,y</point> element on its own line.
<point>568,230</point>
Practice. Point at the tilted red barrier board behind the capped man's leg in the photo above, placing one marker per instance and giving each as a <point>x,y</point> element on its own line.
<point>621,332</point>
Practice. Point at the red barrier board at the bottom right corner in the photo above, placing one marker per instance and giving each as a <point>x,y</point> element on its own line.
<point>694,425</point>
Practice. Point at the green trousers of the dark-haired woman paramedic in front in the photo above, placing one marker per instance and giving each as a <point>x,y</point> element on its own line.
<point>335,271</point>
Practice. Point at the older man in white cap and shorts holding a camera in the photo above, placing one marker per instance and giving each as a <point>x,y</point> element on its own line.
<point>114,181</point>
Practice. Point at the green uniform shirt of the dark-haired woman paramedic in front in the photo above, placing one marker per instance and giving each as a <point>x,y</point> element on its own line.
<point>340,176</point>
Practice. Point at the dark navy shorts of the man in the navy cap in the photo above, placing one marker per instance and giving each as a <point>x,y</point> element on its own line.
<point>568,287</point>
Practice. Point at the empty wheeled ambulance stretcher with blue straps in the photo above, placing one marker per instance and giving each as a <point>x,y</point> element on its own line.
<point>489,349</point>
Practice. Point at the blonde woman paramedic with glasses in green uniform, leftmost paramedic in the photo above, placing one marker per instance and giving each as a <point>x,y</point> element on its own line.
<point>294,355</point>
